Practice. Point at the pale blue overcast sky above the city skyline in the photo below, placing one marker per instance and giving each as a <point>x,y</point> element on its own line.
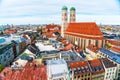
<point>49,11</point>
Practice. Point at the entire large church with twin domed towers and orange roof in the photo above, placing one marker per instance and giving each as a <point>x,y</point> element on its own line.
<point>81,34</point>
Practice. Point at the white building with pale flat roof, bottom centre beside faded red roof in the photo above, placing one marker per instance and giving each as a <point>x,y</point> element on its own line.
<point>57,70</point>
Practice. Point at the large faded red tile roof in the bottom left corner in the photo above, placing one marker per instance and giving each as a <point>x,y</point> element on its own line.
<point>29,72</point>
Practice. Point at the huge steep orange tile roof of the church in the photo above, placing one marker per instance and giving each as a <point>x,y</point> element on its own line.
<point>85,29</point>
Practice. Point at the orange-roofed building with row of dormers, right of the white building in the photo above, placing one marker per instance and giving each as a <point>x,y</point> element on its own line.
<point>79,70</point>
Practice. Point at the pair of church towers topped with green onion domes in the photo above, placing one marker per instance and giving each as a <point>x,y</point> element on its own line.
<point>65,18</point>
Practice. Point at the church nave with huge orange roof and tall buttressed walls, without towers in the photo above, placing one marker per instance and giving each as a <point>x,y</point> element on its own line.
<point>84,34</point>
